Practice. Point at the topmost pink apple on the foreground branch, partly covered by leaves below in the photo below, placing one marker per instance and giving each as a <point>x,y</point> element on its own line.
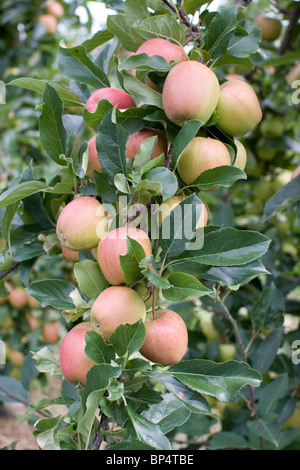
<point>164,48</point>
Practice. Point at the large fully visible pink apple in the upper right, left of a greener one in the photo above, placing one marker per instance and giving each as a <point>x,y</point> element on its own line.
<point>191,91</point>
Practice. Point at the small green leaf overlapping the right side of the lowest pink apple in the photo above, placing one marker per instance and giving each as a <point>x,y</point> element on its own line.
<point>97,349</point>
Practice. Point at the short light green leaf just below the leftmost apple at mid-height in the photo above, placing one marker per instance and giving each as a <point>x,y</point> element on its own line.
<point>90,279</point>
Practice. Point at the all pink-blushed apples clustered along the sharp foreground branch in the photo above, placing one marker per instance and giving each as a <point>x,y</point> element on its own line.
<point>191,90</point>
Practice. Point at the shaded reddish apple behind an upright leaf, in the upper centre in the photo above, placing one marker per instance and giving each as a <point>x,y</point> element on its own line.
<point>134,142</point>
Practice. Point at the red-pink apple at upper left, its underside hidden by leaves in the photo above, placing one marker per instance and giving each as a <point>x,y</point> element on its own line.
<point>115,96</point>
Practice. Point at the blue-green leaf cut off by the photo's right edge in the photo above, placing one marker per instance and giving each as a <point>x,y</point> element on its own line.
<point>282,199</point>
